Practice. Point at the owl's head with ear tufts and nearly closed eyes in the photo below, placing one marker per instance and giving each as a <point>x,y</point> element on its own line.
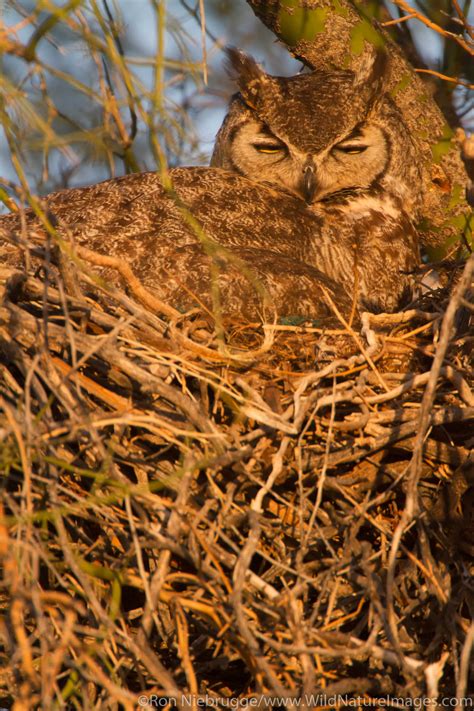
<point>323,136</point>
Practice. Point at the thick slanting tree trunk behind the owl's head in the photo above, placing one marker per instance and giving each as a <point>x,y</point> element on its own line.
<point>331,34</point>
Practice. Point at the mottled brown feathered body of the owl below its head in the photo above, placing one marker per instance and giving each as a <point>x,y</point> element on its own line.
<point>269,247</point>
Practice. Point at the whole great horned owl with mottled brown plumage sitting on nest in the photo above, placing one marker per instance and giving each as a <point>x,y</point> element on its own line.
<point>333,219</point>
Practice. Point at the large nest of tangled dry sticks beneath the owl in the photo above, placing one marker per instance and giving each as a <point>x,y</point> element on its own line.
<point>251,511</point>
